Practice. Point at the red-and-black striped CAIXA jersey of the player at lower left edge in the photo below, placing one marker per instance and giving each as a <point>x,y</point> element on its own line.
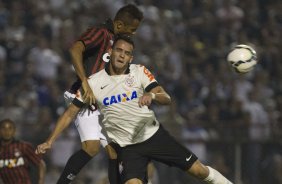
<point>15,159</point>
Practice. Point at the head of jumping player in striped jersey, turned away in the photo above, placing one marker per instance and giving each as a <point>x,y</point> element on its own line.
<point>127,19</point>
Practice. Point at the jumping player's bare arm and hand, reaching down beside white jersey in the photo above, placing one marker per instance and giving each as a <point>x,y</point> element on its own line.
<point>76,52</point>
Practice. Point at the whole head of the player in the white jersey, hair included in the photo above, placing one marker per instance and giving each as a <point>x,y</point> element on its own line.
<point>121,53</point>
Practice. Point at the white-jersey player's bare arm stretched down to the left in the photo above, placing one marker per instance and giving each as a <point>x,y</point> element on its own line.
<point>63,122</point>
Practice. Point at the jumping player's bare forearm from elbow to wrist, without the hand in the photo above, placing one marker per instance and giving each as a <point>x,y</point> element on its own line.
<point>76,52</point>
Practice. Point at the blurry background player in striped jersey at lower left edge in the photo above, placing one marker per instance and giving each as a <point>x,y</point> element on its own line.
<point>16,157</point>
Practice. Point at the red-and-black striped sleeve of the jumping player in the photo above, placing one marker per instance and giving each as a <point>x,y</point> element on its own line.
<point>93,37</point>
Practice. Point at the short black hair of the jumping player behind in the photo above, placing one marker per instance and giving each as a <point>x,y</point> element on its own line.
<point>128,13</point>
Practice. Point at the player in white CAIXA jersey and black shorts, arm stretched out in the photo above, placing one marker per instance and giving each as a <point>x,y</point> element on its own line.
<point>124,93</point>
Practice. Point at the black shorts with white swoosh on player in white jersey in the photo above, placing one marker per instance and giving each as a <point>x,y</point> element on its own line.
<point>162,147</point>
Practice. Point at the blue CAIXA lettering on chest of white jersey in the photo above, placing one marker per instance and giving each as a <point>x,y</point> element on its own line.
<point>123,97</point>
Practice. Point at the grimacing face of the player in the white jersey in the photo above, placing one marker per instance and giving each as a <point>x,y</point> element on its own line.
<point>121,56</point>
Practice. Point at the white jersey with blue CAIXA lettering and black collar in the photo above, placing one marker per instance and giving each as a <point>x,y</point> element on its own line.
<point>117,97</point>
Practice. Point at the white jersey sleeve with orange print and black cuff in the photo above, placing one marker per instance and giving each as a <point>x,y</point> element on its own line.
<point>147,79</point>
